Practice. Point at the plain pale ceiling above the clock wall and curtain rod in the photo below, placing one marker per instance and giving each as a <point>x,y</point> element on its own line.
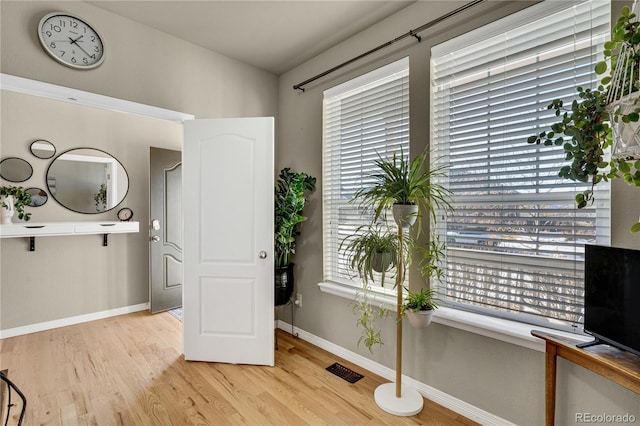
<point>272,35</point>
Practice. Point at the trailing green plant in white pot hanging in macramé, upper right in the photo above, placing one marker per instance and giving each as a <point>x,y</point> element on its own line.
<point>603,117</point>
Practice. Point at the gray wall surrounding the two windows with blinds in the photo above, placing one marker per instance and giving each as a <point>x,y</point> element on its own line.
<point>498,377</point>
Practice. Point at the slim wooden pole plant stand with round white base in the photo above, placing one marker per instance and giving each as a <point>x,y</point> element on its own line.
<point>393,397</point>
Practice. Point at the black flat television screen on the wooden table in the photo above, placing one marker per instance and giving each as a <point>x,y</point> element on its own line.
<point>612,296</point>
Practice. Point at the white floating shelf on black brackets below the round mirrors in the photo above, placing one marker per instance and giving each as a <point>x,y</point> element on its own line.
<point>57,229</point>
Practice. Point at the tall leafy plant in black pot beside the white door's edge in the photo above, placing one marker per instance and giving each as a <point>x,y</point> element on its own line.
<point>289,202</point>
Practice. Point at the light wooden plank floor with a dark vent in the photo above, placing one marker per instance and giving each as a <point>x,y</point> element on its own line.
<point>128,370</point>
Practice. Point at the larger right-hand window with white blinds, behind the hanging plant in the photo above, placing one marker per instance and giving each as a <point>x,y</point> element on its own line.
<point>515,241</point>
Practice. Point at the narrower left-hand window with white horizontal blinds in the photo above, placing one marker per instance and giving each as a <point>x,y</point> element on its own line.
<point>362,118</point>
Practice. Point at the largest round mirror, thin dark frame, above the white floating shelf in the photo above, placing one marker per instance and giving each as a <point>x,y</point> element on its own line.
<point>87,180</point>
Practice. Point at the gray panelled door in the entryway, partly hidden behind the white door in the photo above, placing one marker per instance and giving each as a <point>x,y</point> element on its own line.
<point>165,235</point>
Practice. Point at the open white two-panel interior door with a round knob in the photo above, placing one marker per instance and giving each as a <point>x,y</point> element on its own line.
<point>228,240</point>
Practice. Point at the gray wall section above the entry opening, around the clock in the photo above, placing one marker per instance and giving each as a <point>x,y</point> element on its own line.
<point>157,69</point>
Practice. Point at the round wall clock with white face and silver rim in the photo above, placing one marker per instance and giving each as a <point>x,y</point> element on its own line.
<point>70,41</point>
